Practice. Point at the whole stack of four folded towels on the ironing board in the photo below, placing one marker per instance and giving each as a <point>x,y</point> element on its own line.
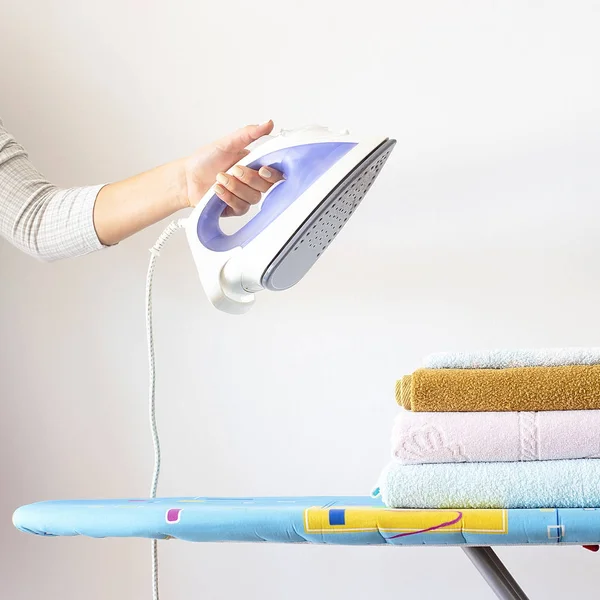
<point>500,429</point>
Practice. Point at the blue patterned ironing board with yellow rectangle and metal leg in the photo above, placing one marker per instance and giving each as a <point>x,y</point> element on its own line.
<point>319,520</point>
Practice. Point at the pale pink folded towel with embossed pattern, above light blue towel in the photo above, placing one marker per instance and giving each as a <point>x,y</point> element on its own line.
<point>435,437</point>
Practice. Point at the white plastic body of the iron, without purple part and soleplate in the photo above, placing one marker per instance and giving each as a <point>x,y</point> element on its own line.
<point>232,277</point>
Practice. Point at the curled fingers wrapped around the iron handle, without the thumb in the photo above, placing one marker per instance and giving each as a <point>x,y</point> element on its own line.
<point>244,187</point>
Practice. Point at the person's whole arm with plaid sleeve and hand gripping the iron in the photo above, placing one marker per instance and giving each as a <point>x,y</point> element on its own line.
<point>51,223</point>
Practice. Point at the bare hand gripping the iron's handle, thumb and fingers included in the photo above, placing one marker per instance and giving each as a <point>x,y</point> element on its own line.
<point>244,187</point>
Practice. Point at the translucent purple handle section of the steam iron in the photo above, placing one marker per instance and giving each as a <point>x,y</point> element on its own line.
<point>301,166</point>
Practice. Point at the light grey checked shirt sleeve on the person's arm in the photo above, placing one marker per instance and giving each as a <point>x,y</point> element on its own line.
<point>36,216</point>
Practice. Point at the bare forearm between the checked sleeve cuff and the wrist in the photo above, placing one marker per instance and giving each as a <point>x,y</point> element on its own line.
<point>126,207</point>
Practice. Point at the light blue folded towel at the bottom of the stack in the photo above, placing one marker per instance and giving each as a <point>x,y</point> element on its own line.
<point>544,484</point>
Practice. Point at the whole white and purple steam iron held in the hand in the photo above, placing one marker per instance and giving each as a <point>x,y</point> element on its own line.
<point>327,174</point>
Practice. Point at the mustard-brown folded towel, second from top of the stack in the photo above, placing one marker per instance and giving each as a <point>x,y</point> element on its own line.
<point>482,390</point>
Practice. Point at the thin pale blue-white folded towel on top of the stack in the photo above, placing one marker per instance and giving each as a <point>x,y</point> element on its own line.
<point>506,359</point>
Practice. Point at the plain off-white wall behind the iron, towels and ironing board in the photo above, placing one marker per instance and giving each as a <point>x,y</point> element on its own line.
<point>482,231</point>
